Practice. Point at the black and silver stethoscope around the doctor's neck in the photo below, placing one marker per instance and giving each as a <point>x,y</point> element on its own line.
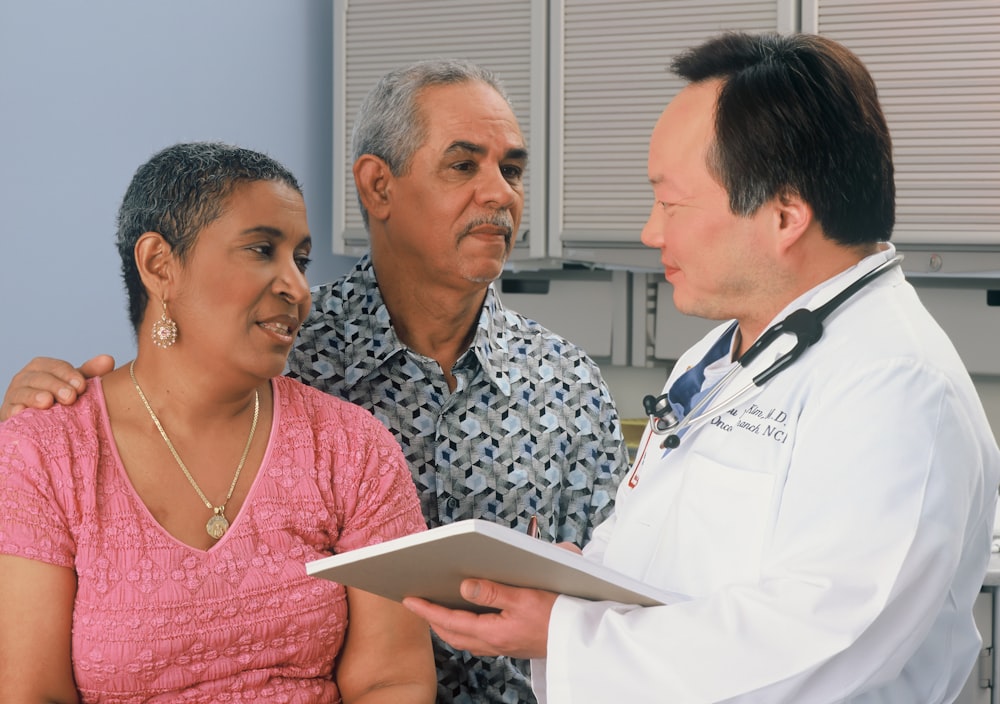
<point>805,324</point>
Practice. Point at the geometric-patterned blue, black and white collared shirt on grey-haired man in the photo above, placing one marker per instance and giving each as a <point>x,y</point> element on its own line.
<point>530,429</point>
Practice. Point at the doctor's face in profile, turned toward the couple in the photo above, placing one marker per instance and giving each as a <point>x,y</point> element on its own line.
<point>712,257</point>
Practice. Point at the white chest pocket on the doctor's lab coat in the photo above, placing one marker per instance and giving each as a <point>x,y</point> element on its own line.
<point>719,525</point>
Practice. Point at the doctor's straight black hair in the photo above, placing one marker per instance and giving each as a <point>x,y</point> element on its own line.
<point>798,114</point>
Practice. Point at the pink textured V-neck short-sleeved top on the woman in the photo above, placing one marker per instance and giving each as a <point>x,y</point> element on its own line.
<point>158,621</point>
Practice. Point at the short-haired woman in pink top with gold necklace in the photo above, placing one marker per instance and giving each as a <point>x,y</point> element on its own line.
<point>153,536</point>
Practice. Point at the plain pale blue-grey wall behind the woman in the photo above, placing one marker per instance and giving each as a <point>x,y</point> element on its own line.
<point>89,91</point>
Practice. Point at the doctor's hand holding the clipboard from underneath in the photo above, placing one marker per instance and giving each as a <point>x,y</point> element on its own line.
<point>520,630</point>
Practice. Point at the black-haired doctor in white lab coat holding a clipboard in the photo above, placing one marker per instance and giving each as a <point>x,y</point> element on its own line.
<point>832,527</point>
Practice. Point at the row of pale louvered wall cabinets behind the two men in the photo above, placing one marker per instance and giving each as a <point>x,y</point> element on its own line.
<point>589,78</point>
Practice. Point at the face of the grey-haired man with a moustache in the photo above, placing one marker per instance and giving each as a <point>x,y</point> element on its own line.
<point>456,211</point>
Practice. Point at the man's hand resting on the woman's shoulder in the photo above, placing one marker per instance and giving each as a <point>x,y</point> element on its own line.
<point>45,381</point>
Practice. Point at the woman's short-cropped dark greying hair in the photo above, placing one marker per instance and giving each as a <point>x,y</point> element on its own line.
<point>179,191</point>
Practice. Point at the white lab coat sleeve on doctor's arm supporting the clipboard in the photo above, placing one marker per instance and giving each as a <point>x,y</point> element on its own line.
<point>877,508</point>
